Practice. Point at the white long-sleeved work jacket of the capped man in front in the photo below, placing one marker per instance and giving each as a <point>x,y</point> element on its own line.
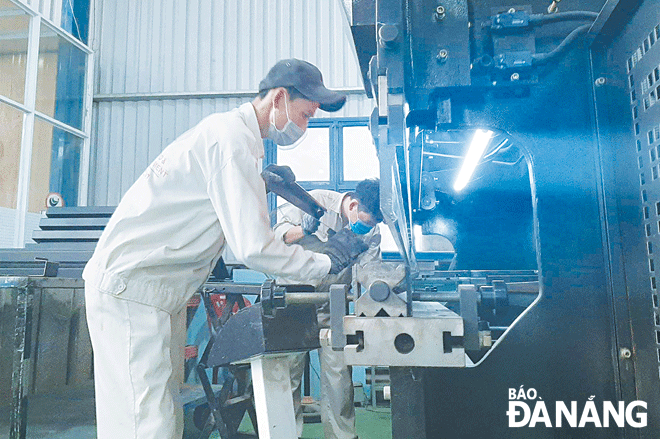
<point>203,190</point>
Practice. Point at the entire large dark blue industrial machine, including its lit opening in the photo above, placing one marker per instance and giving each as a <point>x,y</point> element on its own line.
<point>554,231</point>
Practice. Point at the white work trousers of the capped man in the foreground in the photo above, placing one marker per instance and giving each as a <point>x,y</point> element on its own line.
<point>138,368</point>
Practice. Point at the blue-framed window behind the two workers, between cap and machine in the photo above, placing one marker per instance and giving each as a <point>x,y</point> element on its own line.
<point>335,154</point>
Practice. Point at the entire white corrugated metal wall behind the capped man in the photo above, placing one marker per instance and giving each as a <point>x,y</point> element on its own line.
<point>162,66</point>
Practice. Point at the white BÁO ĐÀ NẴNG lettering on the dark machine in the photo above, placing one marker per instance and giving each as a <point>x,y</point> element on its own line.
<point>527,409</point>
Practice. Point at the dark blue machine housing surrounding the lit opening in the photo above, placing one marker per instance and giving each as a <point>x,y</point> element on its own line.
<point>562,94</point>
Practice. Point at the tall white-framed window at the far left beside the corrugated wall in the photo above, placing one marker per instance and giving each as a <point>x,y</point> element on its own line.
<point>43,107</point>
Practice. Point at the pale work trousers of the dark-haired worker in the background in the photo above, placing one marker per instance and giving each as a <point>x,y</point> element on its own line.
<point>337,406</point>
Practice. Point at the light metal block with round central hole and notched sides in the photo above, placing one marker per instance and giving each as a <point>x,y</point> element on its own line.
<point>404,341</point>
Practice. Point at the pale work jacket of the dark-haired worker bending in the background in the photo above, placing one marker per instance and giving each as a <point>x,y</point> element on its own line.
<point>289,216</point>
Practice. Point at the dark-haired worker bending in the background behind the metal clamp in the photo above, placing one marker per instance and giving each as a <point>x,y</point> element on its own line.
<point>360,211</point>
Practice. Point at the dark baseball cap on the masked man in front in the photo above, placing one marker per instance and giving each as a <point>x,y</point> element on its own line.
<point>307,79</point>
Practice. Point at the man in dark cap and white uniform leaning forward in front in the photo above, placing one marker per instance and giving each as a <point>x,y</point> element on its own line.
<point>204,191</point>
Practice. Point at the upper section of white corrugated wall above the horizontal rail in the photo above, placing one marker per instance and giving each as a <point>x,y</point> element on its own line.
<point>216,45</point>
